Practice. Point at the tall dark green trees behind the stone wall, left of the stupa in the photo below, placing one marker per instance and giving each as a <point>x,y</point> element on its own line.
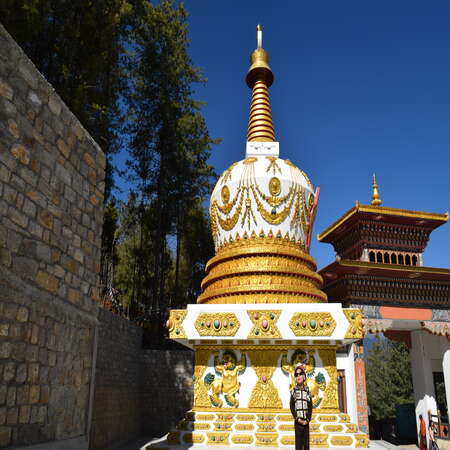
<point>123,68</point>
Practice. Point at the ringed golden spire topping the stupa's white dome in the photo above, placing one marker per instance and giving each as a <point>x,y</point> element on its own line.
<point>259,78</point>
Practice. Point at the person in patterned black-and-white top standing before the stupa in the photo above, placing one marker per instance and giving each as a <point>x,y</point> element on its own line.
<point>301,409</point>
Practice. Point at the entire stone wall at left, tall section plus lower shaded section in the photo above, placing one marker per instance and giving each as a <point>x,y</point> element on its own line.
<point>52,391</point>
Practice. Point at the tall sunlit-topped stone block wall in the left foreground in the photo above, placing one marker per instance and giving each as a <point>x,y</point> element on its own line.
<point>51,195</point>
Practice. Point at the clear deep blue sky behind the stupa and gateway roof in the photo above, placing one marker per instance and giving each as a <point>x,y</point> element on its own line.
<point>360,87</point>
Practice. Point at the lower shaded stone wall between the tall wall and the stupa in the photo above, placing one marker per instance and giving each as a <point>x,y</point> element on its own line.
<point>136,391</point>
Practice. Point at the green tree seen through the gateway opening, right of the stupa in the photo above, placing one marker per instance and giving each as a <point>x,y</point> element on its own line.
<point>388,377</point>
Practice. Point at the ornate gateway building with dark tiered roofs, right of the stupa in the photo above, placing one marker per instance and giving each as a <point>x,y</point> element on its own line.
<point>379,269</point>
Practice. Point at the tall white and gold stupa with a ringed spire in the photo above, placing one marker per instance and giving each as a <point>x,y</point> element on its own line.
<point>262,310</point>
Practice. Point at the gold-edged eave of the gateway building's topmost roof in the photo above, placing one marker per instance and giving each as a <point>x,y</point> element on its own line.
<point>377,210</point>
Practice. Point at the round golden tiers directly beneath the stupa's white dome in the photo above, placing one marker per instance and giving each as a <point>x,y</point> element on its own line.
<point>261,270</point>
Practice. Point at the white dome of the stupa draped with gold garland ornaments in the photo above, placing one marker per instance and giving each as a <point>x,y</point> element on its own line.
<point>262,195</point>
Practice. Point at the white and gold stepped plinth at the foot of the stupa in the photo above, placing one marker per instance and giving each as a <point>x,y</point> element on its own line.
<point>268,429</point>
